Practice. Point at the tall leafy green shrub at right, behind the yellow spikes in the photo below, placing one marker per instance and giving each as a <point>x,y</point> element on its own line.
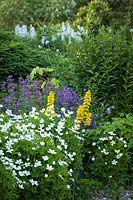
<point>103,64</point>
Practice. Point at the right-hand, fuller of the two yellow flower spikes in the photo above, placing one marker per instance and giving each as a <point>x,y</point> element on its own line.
<point>83,115</point>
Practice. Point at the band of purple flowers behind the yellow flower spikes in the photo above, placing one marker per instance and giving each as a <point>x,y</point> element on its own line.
<point>26,93</point>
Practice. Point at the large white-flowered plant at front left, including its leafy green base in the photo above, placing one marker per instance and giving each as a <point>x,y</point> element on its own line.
<point>42,151</point>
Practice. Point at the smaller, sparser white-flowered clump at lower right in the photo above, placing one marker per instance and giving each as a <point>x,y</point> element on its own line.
<point>108,153</point>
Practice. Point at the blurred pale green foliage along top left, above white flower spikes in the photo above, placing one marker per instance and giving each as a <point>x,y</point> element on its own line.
<point>13,12</point>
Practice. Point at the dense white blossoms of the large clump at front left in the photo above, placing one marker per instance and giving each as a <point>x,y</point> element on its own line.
<point>32,142</point>
